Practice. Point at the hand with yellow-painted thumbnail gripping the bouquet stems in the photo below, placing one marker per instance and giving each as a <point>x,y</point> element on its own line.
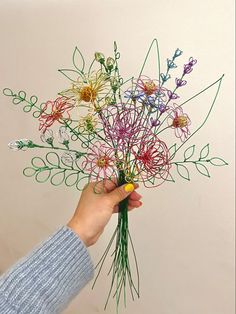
<point>97,203</point>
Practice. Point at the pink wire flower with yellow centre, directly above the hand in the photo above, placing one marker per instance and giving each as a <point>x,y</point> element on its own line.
<point>100,161</point>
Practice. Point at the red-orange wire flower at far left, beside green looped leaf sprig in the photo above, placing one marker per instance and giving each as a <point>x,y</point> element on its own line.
<point>57,111</point>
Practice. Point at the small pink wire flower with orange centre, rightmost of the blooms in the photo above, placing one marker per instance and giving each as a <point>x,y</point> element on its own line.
<point>179,121</point>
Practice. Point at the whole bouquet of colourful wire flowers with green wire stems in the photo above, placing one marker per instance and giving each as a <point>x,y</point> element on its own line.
<point>113,129</point>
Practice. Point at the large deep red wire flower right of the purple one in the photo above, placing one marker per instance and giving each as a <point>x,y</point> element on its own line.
<point>152,159</point>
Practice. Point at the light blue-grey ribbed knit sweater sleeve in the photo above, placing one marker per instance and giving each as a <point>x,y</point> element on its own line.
<point>47,279</point>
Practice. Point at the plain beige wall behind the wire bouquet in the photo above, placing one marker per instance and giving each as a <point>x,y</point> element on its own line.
<point>184,233</point>
